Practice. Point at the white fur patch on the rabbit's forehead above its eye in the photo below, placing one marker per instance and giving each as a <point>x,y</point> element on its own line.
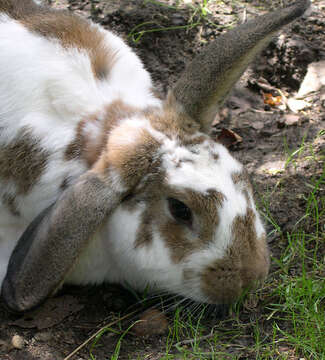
<point>200,167</point>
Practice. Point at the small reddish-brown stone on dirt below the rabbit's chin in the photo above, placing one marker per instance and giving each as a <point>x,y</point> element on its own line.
<point>152,322</point>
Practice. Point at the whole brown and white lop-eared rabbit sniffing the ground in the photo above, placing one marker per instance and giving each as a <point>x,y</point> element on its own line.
<point>103,181</point>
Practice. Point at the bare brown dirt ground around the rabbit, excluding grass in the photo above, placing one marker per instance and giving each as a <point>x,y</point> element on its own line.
<point>266,129</point>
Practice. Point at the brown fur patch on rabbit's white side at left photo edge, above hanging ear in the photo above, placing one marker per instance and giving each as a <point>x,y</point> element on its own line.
<point>23,161</point>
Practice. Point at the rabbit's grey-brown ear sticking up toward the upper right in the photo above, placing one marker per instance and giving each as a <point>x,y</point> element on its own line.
<point>207,80</point>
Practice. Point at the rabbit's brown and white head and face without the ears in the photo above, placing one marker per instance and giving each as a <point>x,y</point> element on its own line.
<point>189,224</point>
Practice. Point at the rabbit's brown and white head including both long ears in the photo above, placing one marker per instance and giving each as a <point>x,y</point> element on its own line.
<point>181,205</point>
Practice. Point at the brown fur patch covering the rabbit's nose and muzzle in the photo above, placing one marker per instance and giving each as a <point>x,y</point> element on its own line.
<point>246,263</point>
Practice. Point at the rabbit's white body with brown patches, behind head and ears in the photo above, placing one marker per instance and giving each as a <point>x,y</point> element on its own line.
<point>56,71</point>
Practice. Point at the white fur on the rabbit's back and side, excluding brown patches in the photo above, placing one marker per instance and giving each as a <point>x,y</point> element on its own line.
<point>49,90</point>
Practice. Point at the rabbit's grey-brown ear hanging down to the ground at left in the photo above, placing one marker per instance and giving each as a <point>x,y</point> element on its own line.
<point>52,243</point>
